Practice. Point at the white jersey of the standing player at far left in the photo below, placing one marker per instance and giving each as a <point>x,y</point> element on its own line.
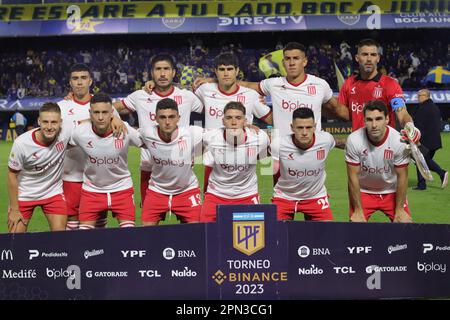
<point>72,112</point>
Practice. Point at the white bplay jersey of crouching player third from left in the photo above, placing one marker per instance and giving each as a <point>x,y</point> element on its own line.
<point>171,162</point>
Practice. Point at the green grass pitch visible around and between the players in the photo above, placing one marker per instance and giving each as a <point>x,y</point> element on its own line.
<point>430,206</point>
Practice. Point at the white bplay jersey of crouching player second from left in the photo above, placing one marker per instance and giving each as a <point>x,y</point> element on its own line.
<point>106,164</point>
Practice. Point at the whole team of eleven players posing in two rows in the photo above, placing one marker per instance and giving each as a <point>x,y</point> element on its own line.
<point>74,165</point>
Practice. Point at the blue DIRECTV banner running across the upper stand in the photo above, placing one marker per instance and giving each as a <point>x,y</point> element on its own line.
<point>224,24</point>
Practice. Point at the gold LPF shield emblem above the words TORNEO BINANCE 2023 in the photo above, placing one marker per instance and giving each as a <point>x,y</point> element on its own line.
<point>248,232</point>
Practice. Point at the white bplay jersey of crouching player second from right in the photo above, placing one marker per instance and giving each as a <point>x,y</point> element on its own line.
<point>302,172</point>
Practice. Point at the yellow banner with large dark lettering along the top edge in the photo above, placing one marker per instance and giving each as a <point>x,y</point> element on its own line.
<point>210,9</point>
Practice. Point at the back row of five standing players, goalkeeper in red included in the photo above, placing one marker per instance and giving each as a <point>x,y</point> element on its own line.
<point>297,89</point>
